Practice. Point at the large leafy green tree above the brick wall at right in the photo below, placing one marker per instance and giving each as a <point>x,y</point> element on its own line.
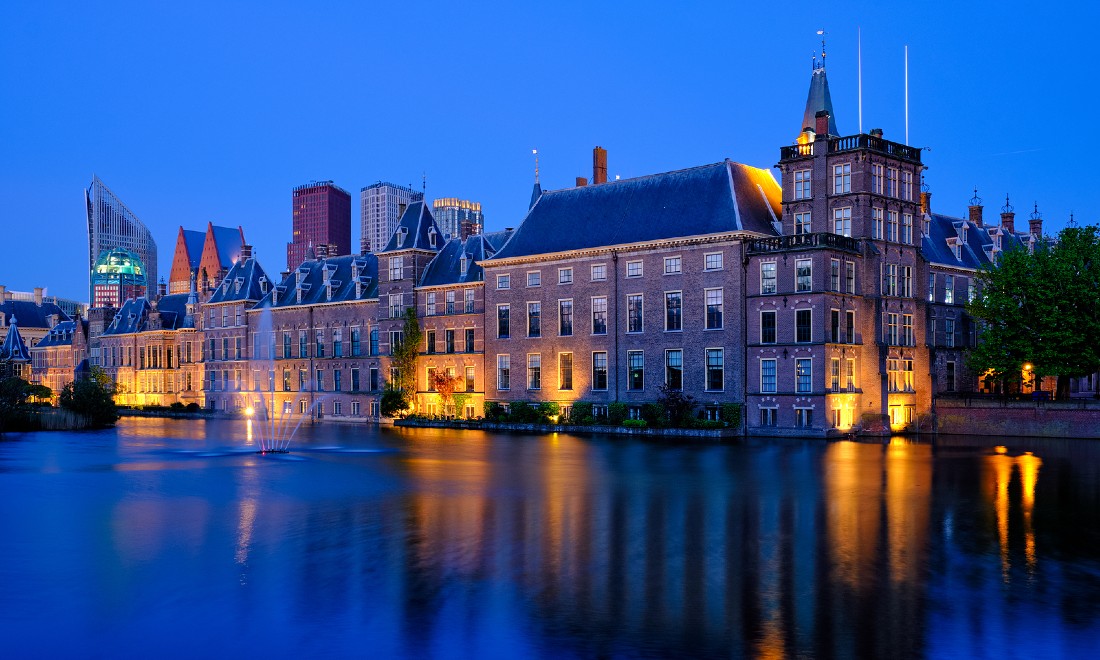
<point>1042,309</point>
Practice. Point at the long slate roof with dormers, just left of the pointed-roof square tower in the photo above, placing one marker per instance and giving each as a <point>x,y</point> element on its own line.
<point>344,272</point>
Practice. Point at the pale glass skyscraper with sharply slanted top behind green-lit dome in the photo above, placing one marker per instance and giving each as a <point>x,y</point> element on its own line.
<point>112,225</point>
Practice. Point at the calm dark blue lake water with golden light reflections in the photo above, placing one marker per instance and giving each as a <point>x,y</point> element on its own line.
<point>171,538</point>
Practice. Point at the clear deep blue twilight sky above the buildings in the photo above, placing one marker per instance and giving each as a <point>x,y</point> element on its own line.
<point>199,112</point>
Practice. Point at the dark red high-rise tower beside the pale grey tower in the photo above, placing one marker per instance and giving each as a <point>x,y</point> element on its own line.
<point>322,216</point>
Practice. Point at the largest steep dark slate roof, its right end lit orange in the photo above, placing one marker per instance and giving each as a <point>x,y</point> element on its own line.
<point>709,200</point>
